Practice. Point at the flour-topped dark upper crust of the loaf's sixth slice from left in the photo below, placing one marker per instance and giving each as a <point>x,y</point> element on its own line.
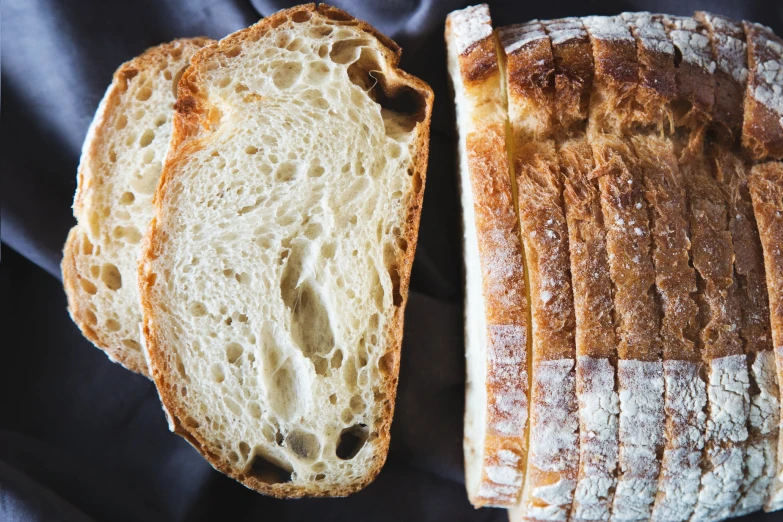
<point>695,83</point>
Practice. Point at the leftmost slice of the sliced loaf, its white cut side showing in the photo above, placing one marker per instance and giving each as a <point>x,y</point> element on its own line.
<point>496,332</point>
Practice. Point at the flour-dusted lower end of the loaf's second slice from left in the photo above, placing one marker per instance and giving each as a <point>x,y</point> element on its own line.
<point>549,486</point>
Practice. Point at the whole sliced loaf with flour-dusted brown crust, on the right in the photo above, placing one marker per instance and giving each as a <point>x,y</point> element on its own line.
<point>623,222</point>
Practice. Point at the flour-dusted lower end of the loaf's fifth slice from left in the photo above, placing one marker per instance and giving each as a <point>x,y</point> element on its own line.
<point>678,483</point>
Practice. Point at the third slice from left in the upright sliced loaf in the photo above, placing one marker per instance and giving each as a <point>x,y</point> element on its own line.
<point>595,340</point>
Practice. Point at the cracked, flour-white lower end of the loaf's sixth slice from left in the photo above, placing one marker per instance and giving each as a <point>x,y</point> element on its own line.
<point>725,435</point>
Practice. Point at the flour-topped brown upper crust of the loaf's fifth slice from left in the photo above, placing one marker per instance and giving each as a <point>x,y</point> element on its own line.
<point>655,55</point>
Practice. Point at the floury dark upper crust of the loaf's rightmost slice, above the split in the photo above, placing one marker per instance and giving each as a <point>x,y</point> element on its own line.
<point>762,130</point>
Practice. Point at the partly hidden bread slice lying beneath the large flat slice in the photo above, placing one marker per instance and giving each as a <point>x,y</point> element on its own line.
<point>119,169</point>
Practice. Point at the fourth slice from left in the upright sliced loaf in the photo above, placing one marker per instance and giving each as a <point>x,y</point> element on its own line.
<point>628,244</point>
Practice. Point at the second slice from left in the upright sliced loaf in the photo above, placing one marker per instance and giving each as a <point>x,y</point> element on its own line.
<point>553,457</point>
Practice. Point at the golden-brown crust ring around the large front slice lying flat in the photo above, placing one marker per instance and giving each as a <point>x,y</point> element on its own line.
<point>192,119</point>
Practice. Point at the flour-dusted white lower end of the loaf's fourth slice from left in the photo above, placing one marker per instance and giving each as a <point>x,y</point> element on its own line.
<point>641,386</point>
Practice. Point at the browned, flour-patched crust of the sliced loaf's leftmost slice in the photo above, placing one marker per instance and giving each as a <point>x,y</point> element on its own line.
<point>472,43</point>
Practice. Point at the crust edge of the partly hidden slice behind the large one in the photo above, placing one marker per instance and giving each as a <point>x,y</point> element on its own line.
<point>89,179</point>
